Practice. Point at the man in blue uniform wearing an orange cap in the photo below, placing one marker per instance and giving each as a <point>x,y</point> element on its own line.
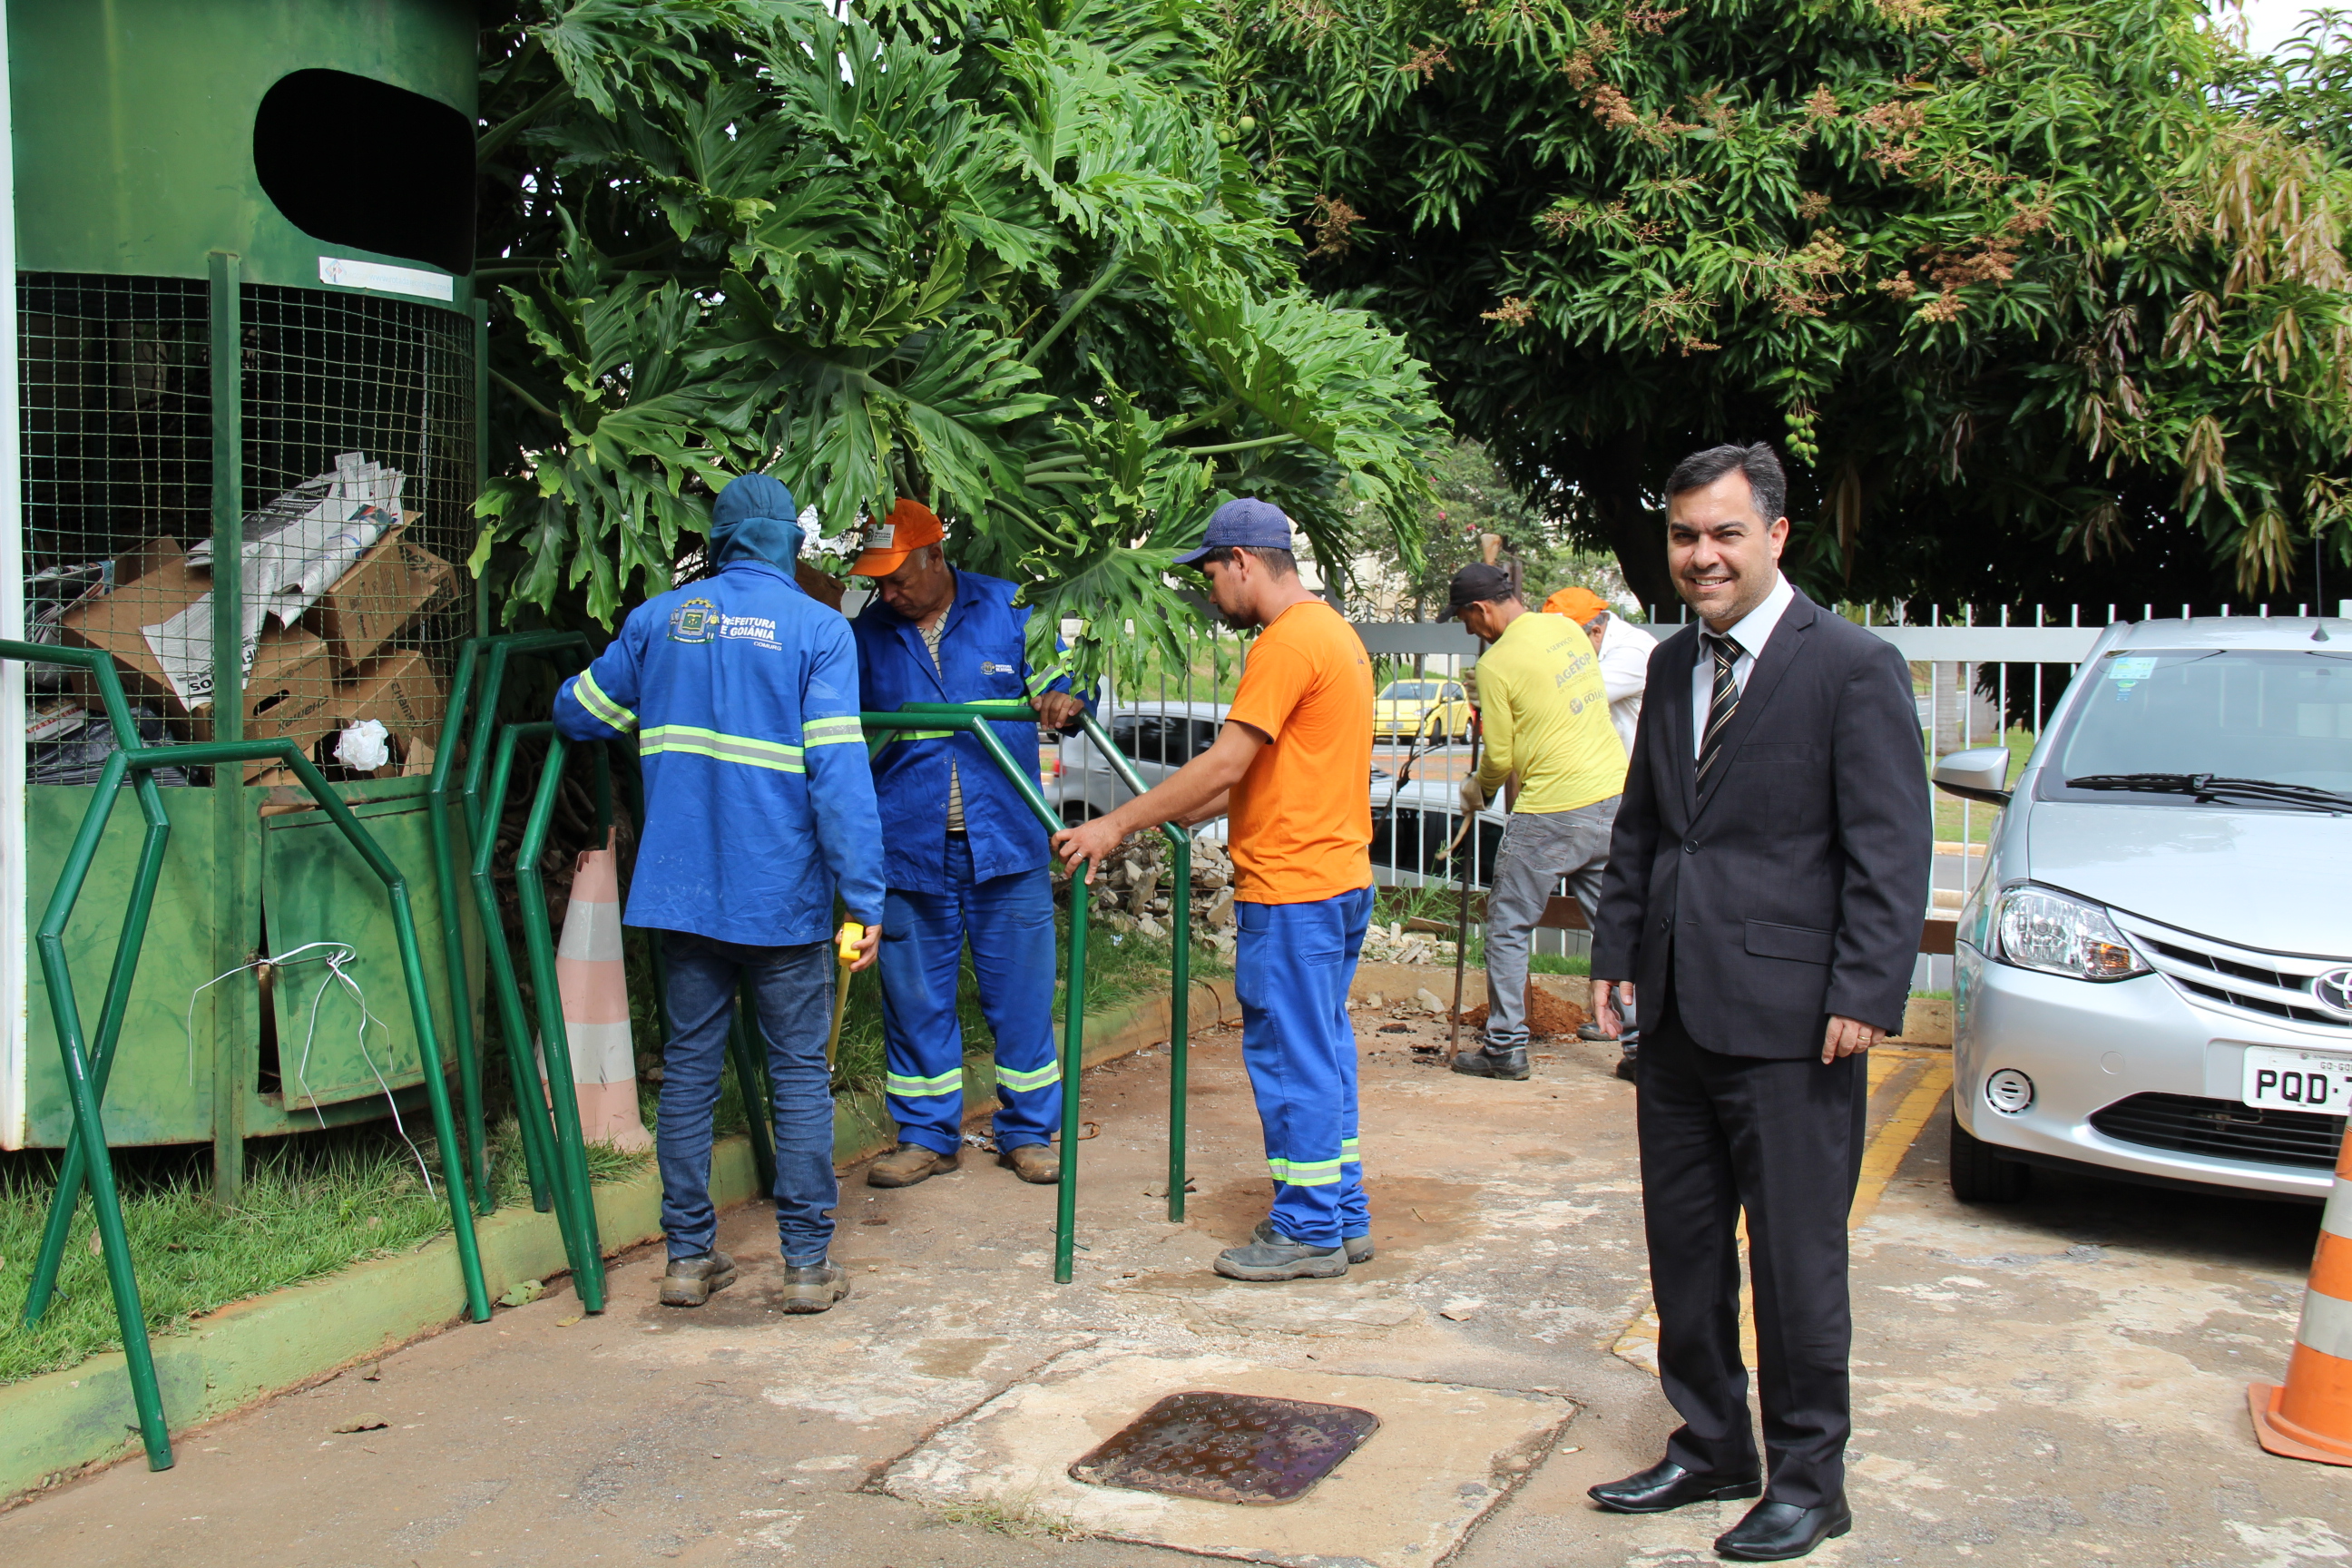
<point>961,852</point>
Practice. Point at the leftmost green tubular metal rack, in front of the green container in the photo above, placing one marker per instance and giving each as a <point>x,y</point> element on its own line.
<point>88,1071</point>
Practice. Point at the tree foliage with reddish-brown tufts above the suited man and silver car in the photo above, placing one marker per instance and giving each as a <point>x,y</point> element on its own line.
<point>2036,297</point>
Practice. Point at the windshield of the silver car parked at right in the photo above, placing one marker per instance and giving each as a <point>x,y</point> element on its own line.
<point>2160,725</point>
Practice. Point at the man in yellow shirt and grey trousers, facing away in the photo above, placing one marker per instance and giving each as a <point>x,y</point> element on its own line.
<point>1546,718</point>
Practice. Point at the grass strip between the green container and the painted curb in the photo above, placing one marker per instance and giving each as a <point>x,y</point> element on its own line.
<point>314,1205</point>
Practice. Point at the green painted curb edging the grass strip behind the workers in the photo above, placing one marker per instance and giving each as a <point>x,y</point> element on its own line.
<point>62,1423</point>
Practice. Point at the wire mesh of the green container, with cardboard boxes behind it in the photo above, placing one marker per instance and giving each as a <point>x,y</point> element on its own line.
<point>359,485</point>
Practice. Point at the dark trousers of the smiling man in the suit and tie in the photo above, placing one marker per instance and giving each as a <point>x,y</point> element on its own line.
<point>1784,1141</point>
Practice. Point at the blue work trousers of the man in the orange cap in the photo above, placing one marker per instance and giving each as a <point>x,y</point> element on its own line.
<point>1010,925</point>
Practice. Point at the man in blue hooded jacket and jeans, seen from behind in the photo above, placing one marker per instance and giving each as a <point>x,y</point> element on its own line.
<point>759,805</point>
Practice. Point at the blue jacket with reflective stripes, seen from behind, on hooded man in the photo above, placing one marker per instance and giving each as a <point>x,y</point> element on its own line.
<point>759,803</point>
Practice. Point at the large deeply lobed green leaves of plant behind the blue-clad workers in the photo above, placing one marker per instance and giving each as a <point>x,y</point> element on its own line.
<point>989,257</point>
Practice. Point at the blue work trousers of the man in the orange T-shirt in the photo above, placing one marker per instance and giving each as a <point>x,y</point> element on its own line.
<point>1292,970</point>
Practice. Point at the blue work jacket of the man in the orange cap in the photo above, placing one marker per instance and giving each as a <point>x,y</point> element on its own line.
<point>982,659</point>
